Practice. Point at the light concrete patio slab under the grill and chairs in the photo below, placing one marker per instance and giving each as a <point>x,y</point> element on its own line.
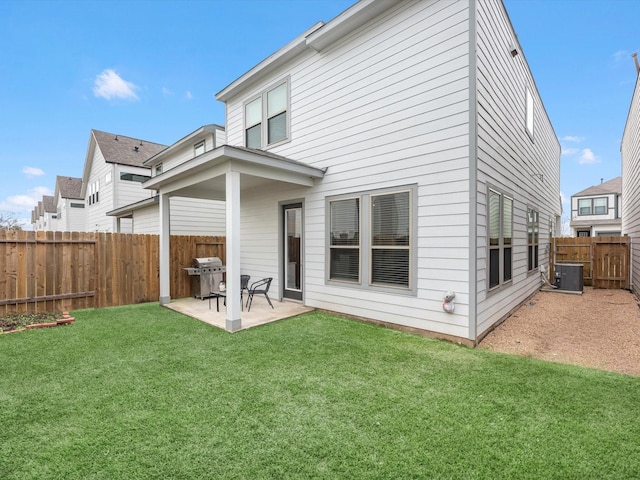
<point>261,313</point>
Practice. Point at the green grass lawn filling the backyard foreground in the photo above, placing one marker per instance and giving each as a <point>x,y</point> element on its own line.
<point>144,392</point>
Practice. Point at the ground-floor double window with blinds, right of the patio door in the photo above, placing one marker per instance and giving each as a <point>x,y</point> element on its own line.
<point>370,239</point>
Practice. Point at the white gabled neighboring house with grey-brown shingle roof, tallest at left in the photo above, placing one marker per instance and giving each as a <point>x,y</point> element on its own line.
<point>112,178</point>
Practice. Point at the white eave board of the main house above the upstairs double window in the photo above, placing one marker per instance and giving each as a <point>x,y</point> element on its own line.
<point>257,73</point>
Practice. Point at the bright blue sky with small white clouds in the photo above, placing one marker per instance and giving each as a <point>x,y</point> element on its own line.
<point>150,69</point>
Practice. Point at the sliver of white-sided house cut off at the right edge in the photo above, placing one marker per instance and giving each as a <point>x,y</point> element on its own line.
<point>630,150</point>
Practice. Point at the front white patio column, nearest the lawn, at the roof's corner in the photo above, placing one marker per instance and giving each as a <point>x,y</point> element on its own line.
<point>232,179</point>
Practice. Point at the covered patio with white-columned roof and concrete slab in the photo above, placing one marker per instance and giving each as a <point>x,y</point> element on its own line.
<point>223,174</point>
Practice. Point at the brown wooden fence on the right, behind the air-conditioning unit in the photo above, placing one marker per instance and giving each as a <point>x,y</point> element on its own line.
<point>606,260</point>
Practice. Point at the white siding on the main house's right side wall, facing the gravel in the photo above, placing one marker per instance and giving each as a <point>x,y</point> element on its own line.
<point>510,160</point>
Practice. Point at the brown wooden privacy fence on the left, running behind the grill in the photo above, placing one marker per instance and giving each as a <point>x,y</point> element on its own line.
<point>55,271</point>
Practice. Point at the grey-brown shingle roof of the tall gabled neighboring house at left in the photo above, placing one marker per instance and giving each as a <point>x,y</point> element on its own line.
<point>125,150</point>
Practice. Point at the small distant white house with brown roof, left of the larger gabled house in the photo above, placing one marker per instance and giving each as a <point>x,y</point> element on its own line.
<point>69,205</point>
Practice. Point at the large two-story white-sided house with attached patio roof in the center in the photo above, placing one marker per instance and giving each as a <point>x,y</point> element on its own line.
<point>395,163</point>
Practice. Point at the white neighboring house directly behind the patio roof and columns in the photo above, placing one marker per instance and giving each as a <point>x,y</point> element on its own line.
<point>189,216</point>
